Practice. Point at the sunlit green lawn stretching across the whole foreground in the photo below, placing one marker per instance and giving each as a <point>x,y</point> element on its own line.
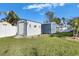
<point>38,46</point>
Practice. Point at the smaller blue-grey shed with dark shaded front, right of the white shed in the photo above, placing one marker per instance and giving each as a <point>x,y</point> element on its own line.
<point>48,28</point>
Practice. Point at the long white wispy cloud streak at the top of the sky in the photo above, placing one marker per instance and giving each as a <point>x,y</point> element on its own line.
<point>43,5</point>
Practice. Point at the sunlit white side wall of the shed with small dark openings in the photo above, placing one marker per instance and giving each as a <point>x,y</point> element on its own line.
<point>33,28</point>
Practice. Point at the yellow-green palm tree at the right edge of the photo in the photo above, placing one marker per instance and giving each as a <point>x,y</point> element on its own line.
<point>75,25</point>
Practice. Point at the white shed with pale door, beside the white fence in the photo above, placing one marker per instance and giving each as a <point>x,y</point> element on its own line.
<point>28,28</point>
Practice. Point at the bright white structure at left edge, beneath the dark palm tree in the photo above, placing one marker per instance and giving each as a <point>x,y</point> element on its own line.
<point>7,30</point>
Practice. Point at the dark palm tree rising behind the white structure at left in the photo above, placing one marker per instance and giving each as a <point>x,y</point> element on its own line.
<point>11,17</point>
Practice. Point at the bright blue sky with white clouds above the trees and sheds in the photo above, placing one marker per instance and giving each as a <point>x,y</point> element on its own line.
<point>36,11</point>
